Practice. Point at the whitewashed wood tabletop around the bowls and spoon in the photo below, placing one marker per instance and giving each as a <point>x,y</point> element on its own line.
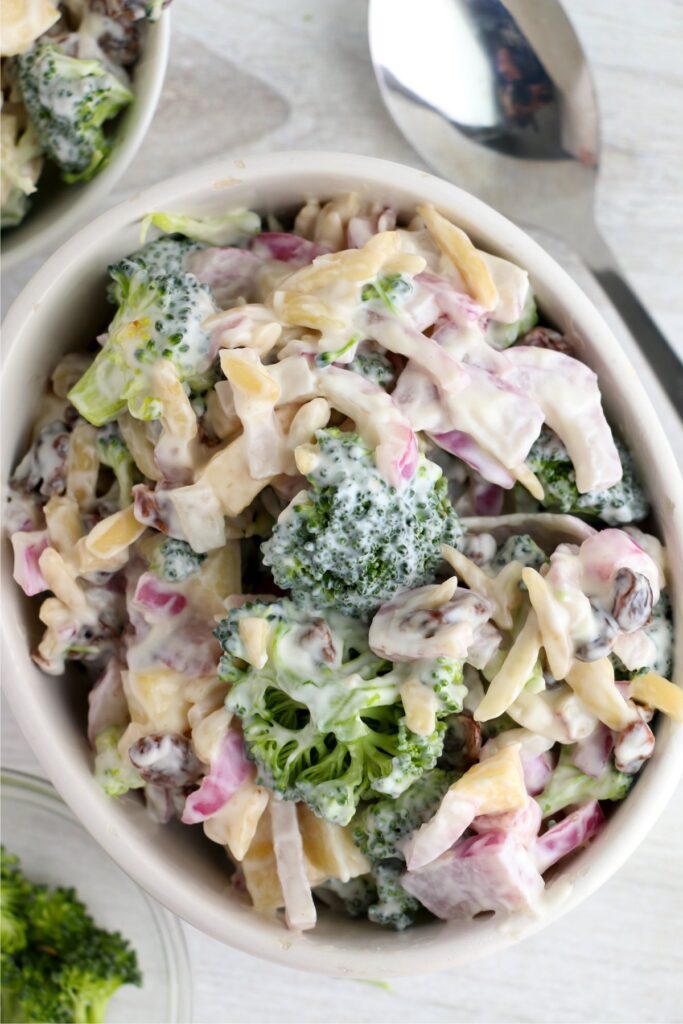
<point>252,76</point>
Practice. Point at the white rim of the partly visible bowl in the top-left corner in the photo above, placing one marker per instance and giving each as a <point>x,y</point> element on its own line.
<point>156,52</point>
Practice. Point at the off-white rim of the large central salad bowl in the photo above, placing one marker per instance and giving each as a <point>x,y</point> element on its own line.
<point>133,852</point>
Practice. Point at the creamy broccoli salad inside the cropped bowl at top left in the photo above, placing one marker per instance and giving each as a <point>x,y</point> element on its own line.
<point>65,74</point>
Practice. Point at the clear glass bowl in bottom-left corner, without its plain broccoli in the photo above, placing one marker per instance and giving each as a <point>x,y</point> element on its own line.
<point>56,849</point>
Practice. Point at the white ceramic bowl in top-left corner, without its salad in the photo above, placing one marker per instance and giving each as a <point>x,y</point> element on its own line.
<point>59,208</point>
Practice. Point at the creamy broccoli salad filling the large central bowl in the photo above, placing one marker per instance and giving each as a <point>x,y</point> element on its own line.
<point>358,571</point>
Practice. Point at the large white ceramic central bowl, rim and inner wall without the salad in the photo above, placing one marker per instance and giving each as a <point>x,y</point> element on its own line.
<point>62,309</point>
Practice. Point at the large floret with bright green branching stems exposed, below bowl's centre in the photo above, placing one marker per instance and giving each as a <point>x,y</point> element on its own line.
<point>321,721</point>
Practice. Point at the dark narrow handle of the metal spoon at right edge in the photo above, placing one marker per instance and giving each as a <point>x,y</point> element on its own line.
<point>664,361</point>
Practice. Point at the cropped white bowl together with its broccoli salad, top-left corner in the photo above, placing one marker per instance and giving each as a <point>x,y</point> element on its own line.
<point>80,82</point>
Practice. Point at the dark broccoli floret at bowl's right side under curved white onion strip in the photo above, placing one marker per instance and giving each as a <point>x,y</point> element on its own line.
<point>625,502</point>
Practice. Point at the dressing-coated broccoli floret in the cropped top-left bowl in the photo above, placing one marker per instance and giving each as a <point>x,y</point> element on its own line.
<point>69,100</point>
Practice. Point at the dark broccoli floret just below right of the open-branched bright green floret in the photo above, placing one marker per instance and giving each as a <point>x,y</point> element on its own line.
<point>381,828</point>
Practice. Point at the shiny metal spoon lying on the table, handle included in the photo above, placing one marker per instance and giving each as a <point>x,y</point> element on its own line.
<point>497,96</point>
